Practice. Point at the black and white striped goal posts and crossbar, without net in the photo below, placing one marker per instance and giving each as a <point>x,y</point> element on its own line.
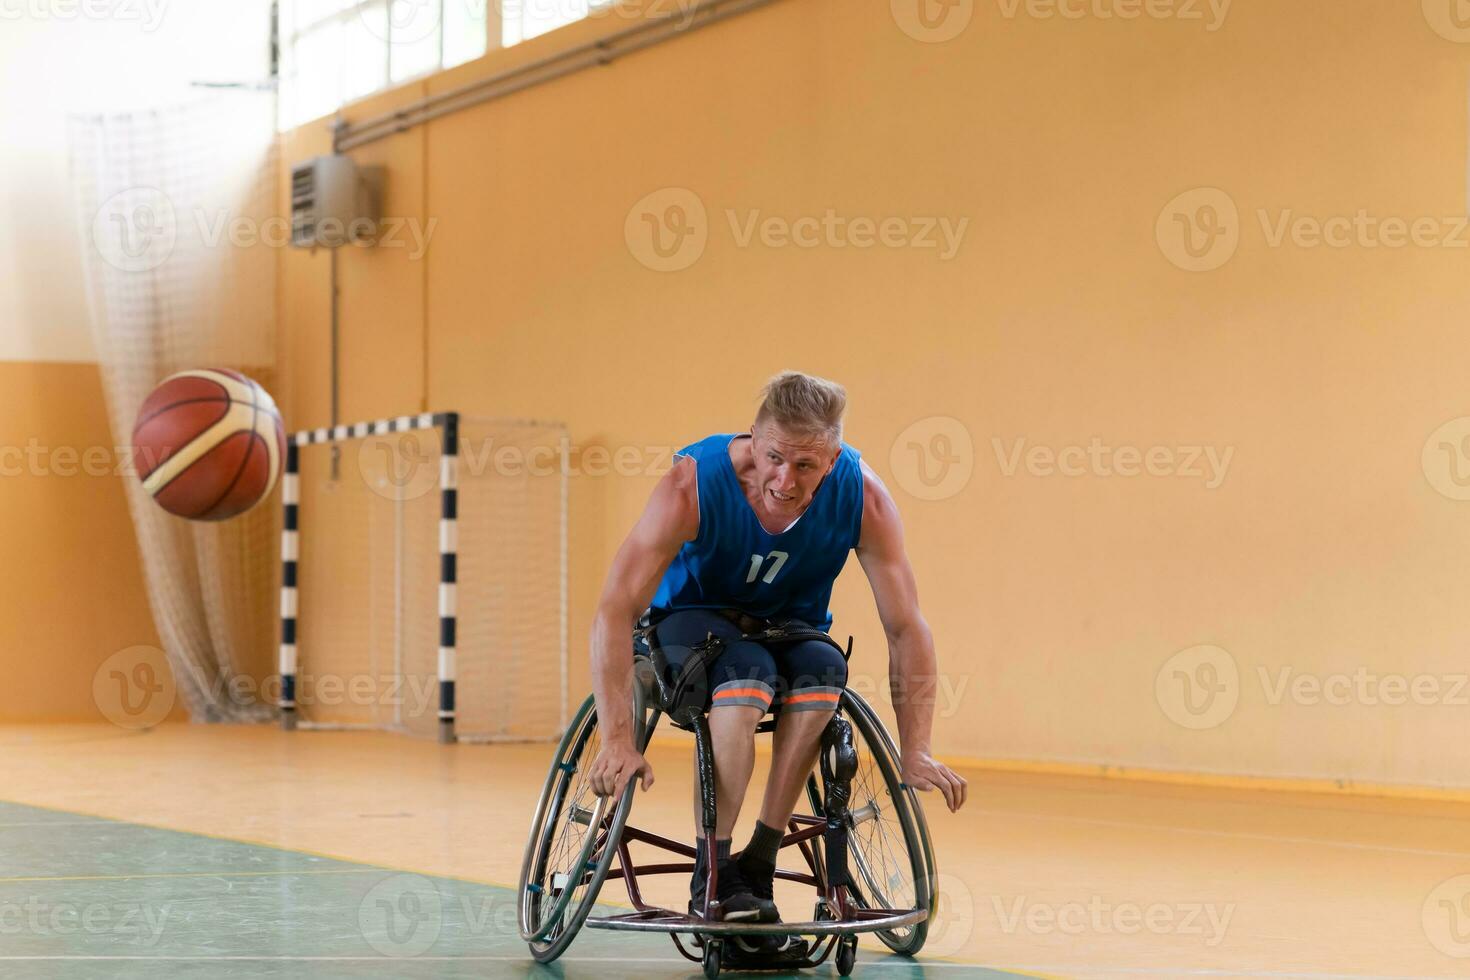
<point>448,422</point>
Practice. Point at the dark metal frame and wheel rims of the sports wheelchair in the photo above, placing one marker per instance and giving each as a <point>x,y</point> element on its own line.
<point>842,909</point>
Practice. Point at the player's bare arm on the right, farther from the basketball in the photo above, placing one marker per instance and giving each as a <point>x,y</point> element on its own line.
<point>912,665</point>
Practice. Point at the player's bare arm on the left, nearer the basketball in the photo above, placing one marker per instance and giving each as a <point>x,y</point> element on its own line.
<point>670,519</point>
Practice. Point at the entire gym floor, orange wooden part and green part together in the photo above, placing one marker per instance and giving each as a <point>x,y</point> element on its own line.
<point>245,851</point>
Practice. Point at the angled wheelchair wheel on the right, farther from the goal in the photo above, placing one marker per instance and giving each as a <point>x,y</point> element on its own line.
<point>890,859</point>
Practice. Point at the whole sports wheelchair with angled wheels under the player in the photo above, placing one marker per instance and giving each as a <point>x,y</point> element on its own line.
<point>865,844</point>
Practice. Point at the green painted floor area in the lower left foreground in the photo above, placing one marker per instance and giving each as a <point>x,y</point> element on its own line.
<point>83,897</point>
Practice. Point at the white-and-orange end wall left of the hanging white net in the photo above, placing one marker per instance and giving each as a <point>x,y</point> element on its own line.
<point>73,581</point>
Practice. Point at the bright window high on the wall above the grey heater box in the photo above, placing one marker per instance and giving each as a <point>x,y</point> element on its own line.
<point>337,51</point>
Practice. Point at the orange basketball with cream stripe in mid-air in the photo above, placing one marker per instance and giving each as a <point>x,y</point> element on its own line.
<point>208,444</point>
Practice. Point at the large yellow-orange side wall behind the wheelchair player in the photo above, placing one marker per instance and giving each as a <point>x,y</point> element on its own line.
<point>1056,600</point>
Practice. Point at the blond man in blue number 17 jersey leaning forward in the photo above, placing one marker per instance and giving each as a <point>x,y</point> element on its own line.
<point>747,530</point>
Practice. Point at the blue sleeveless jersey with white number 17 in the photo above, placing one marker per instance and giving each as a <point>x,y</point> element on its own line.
<point>736,563</point>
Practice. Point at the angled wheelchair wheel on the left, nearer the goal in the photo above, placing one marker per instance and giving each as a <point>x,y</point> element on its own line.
<point>574,835</point>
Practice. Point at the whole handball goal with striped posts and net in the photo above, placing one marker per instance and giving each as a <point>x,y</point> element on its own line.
<point>424,578</point>
